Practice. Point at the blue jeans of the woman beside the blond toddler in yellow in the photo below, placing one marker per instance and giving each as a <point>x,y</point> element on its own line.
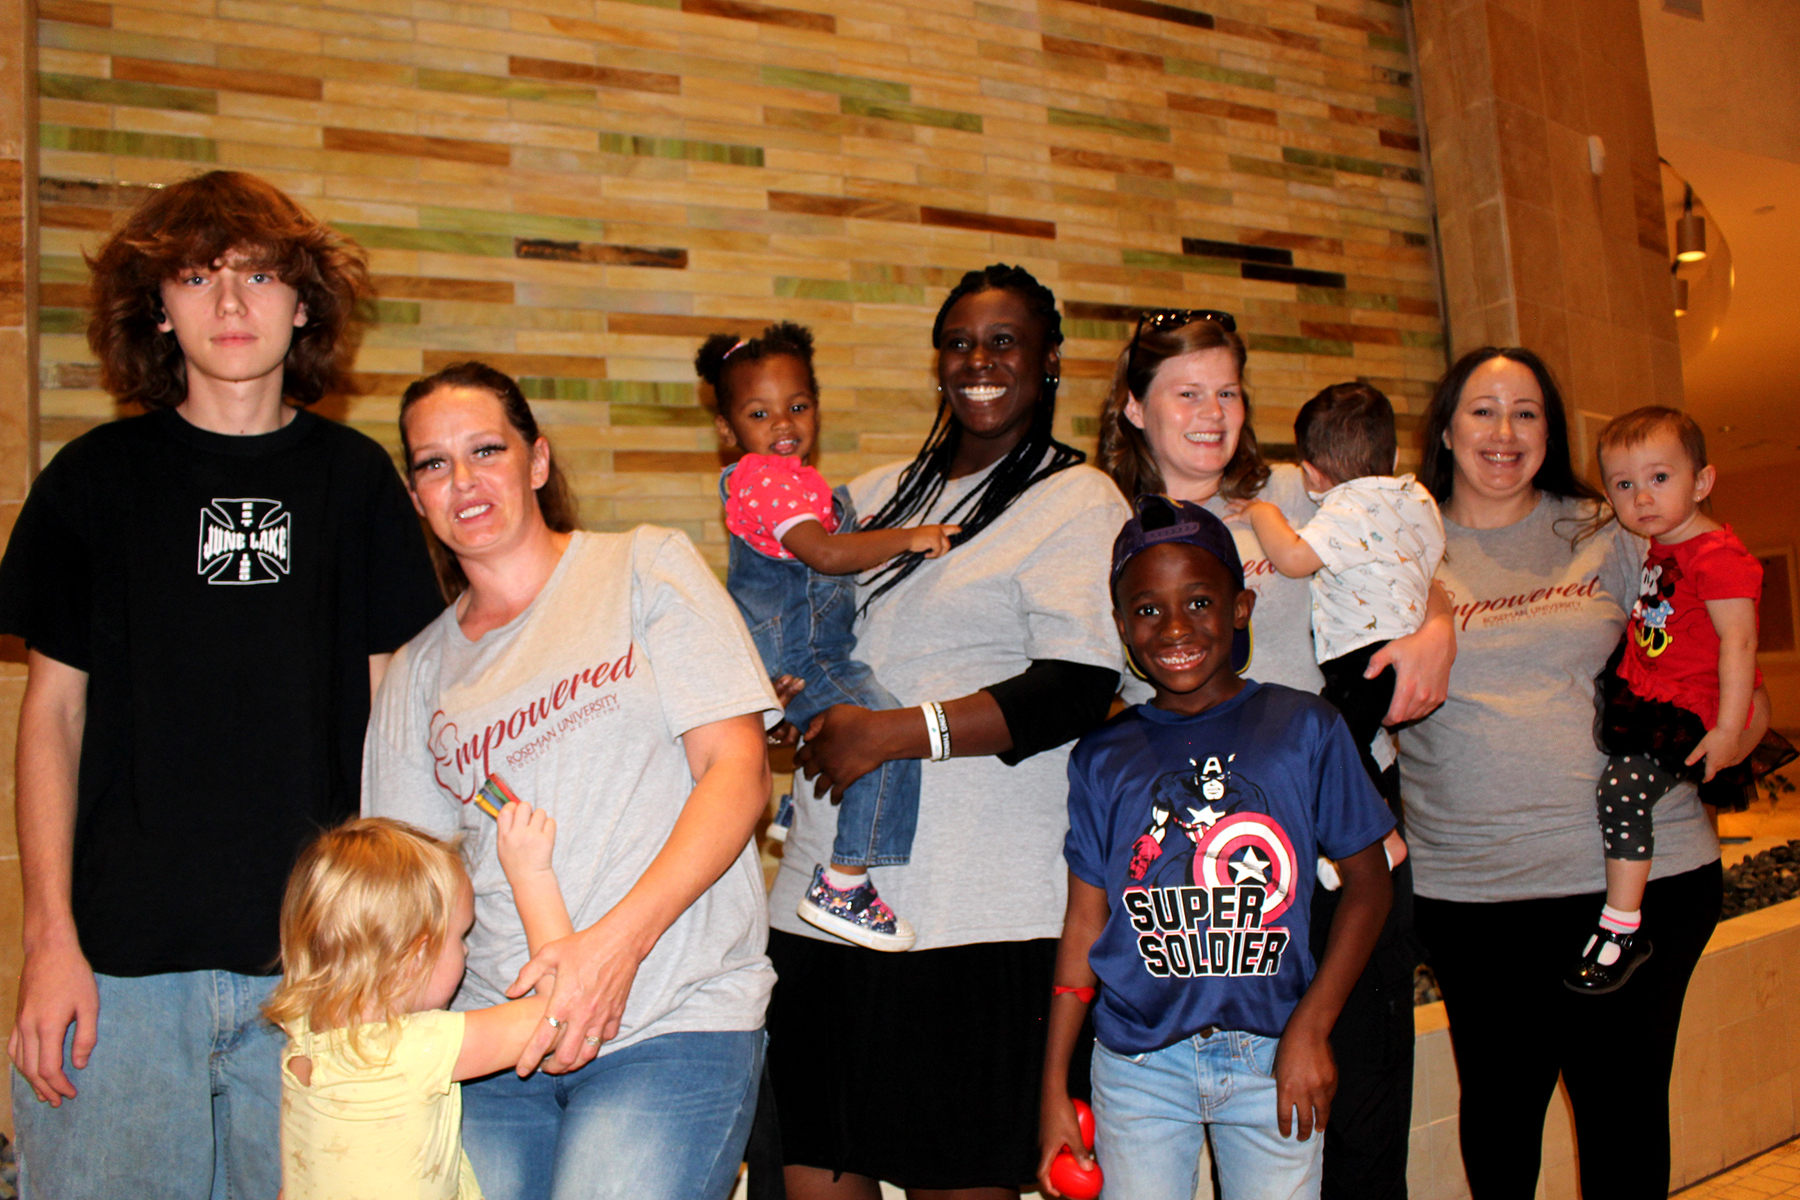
<point>661,1120</point>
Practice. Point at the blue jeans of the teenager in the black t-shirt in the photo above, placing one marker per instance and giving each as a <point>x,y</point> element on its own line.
<point>179,1100</point>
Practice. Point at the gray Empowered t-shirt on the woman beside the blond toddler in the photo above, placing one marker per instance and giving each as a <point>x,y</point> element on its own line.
<point>579,704</point>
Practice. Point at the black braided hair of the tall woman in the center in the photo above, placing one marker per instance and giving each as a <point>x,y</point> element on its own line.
<point>1025,465</point>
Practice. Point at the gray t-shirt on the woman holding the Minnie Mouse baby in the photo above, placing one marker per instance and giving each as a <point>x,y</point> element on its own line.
<point>1500,782</point>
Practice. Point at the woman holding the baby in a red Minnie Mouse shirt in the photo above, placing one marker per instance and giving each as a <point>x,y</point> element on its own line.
<point>1498,789</point>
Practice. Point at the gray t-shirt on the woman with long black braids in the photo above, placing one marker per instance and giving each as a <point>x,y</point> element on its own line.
<point>987,859</point>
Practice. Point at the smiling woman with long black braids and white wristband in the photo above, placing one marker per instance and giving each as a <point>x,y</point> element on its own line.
<point>921,1068</point>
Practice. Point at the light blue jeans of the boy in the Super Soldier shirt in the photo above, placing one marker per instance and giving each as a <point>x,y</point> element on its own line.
<point>1153,1113</point>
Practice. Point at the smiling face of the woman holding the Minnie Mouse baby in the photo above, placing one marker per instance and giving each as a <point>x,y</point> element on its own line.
<point>1498,436</point>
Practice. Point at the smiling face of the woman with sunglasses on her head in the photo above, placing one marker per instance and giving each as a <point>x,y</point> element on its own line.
<point>1192,416</point>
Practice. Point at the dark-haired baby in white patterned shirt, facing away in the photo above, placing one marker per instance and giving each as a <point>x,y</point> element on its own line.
<point>1371,550</point>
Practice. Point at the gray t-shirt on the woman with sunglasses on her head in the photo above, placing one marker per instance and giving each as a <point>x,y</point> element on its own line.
<point>1282,625</point>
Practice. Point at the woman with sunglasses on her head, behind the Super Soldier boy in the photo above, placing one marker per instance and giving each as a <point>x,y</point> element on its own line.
<point>1178,422</point>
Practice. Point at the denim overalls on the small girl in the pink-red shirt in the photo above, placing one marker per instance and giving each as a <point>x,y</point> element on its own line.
<point>802,623</point>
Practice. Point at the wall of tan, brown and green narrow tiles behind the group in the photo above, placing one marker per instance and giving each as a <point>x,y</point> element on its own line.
<point>582,190</point>
